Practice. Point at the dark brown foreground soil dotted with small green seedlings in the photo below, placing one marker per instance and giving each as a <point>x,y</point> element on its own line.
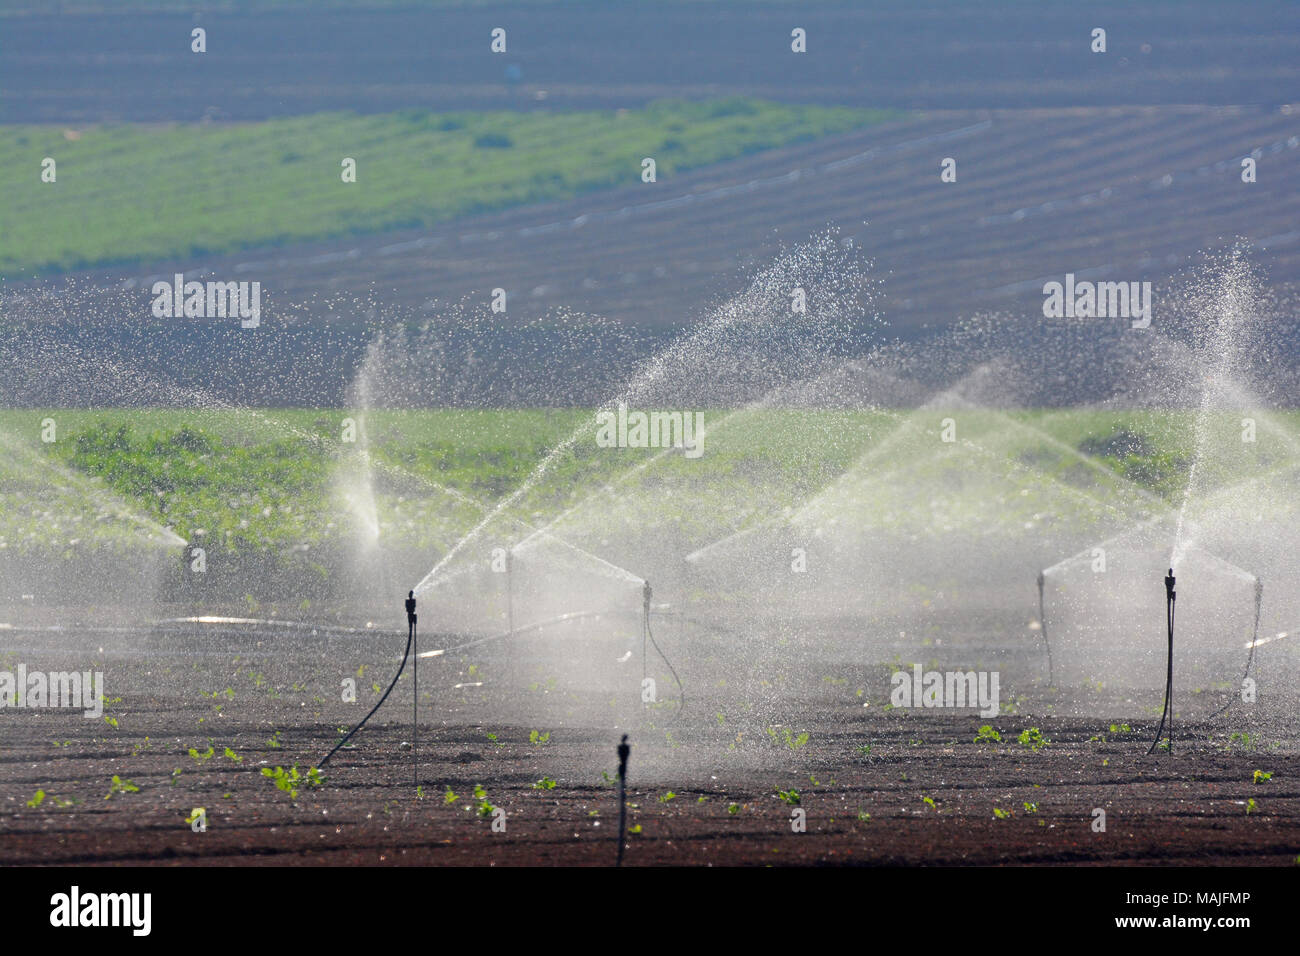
<point>718,784</point>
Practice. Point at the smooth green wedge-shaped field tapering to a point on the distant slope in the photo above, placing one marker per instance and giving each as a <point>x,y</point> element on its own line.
<point>140,192</point>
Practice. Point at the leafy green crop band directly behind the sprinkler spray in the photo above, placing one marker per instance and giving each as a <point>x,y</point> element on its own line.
<point>270,482</point>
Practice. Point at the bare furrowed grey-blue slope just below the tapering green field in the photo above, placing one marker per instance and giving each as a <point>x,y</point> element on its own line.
<point>1163,187</point>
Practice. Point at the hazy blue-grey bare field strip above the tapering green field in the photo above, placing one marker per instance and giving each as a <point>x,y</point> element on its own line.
<point>938,55</point>
